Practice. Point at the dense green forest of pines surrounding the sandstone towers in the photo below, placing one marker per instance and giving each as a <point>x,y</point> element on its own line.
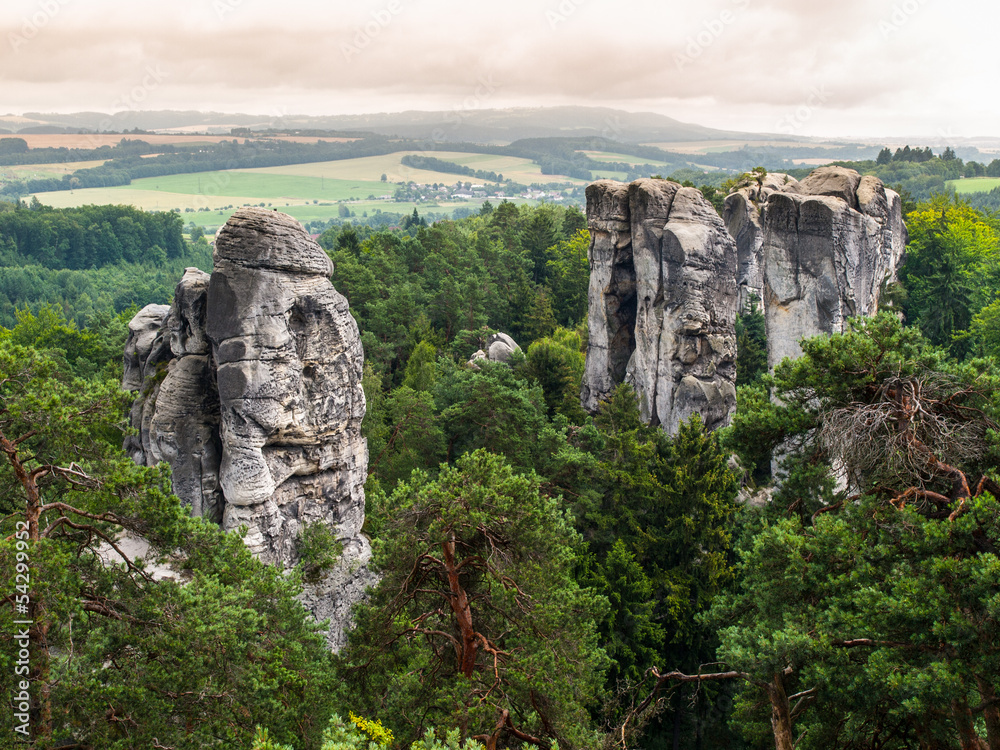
<point>630,589</point>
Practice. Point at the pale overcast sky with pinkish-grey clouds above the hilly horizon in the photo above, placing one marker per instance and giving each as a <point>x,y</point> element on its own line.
<point>851,67</point>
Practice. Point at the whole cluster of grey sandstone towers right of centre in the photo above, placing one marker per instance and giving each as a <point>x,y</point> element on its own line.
<point>665,274</point>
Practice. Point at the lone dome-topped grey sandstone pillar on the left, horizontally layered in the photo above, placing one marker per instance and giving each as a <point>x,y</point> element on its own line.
<point>249,386</point>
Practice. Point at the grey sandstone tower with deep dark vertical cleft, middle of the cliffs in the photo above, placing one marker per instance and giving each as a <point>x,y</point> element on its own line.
<point>663,302</point>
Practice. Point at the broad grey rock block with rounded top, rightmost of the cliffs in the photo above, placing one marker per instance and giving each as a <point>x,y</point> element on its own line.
<point>830,242</point>
